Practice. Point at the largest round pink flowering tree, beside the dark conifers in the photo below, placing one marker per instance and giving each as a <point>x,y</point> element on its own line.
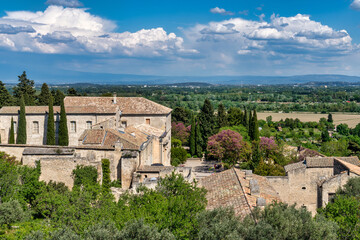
<point>229,147</point>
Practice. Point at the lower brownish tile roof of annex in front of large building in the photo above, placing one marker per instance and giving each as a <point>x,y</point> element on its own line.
<point>109,137</point>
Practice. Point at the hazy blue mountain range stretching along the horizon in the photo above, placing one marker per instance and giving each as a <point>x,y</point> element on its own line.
<point>128,79</point>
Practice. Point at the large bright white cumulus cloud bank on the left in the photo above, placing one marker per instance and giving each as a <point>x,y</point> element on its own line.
<point>74,30</point>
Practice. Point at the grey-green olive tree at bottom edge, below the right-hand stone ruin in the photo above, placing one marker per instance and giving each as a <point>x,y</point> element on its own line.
<point>280,221</point>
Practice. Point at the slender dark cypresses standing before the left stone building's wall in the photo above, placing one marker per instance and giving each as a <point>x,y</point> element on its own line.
<point>50,133</point>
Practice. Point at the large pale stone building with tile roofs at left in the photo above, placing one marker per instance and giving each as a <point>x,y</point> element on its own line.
<point>131,132</point>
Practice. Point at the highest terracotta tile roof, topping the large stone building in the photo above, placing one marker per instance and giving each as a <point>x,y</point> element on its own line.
<point>127,105</point>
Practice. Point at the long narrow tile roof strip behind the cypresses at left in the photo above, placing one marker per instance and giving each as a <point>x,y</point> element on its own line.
<point>69,109</point>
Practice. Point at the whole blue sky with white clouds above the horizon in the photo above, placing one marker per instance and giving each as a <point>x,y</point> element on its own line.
<point>55,39</point>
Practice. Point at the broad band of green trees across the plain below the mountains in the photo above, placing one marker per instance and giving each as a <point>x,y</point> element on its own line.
<point>283,98</point>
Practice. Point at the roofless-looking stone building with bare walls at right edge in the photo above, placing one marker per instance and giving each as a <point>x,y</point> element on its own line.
<point>313,182</point>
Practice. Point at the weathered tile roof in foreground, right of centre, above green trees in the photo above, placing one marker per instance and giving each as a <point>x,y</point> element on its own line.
<point>230,189</point>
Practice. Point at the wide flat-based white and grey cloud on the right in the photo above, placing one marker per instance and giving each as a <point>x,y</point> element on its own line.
<point>280,37</point>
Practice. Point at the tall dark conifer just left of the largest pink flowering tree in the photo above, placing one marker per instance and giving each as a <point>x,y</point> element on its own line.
<point>207,121</point>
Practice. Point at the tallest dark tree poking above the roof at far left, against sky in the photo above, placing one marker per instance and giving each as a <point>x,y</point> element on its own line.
<point>25,88</point>
